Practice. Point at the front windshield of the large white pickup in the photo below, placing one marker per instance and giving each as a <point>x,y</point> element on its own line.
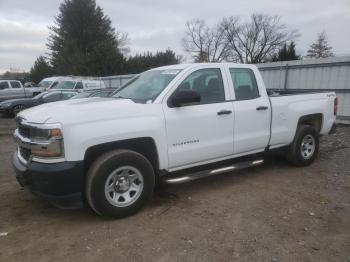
<point>147,86</point>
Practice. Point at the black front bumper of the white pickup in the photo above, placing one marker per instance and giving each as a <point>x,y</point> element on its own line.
<point>59,183</point>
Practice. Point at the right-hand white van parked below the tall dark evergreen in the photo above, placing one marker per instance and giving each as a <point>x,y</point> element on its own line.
<point>80,84</point>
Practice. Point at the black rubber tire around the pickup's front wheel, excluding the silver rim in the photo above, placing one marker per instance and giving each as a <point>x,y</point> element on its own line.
<point>99,172</point>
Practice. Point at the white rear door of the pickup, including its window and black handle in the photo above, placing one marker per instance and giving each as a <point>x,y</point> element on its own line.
<point>252,111</point>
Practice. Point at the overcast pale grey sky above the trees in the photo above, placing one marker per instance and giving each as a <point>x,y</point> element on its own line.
<point>154,25</point>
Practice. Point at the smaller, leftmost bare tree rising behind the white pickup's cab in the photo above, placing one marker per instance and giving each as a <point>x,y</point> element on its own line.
<point>205,44</point>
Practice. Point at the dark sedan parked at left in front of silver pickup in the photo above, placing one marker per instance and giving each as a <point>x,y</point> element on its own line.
<point>14,106</point>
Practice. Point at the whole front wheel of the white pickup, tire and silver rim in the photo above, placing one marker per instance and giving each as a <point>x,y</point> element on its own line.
<point>119,183</point>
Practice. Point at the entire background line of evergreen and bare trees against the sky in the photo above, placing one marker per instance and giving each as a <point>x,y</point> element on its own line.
<point>83,42</point>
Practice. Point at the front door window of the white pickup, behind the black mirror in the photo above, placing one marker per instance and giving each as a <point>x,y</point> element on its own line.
<point>208,83</point>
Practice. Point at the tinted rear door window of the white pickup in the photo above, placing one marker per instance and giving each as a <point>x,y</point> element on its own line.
<point>244,83</point>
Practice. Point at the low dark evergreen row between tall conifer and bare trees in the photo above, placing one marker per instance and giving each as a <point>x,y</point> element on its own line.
<point>140,63</point>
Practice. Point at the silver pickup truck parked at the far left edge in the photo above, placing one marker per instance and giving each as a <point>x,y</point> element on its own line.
<point>10,89</point>
